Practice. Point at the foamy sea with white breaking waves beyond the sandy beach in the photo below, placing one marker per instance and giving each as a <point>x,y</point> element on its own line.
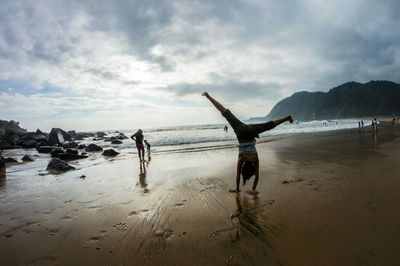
<point>199,137</point>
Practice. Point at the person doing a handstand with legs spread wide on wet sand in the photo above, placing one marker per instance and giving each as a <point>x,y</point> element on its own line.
<point>248,163</point>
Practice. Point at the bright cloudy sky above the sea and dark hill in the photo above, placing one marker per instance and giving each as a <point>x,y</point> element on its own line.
<point>127,64</point>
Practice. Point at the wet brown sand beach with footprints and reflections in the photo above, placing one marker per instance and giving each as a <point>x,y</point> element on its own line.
<point>325,199</point>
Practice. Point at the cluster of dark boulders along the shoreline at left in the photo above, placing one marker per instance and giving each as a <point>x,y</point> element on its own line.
<point>61,145</point>
